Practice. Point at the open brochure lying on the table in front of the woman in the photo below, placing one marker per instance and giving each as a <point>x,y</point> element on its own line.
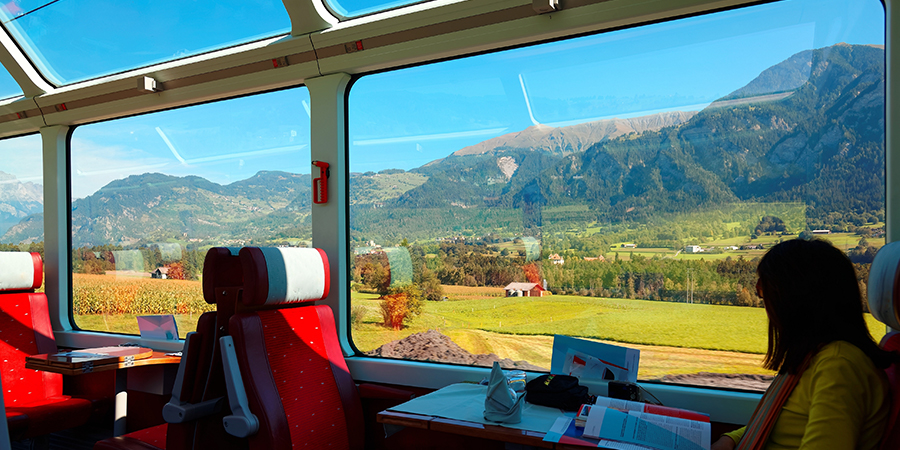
<point>651,430</point>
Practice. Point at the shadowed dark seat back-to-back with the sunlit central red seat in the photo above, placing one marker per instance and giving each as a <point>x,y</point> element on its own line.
<point>195,412</point>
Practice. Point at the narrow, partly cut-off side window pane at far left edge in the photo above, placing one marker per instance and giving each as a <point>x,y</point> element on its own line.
<point>21,194</point>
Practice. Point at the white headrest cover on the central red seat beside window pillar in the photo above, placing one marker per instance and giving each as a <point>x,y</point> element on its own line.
<point>295,274</point>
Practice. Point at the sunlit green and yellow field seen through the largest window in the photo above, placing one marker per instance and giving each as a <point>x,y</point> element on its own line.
<point>674,338</point>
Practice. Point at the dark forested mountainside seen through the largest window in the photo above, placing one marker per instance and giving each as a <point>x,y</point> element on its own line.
<point>797,133</point>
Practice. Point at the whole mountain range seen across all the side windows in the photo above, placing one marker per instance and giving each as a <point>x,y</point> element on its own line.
<point>809,129</point>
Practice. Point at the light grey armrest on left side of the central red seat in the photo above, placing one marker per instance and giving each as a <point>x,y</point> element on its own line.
<point>241,422</point>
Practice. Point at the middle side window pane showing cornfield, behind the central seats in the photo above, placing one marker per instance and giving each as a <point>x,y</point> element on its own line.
<point>152,193</point>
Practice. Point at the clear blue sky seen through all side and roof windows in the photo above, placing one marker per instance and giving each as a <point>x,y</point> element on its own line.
<point>403,119</point>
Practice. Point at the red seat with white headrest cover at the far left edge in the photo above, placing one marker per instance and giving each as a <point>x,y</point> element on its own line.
<point>35,404</point>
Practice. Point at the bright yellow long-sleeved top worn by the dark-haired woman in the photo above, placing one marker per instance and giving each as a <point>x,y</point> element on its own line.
<point>841,402</point>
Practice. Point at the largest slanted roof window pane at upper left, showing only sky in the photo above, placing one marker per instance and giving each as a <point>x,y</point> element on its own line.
<point>75,41</point>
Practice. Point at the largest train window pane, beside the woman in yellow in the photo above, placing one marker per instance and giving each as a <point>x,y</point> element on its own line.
<point>618,187</point>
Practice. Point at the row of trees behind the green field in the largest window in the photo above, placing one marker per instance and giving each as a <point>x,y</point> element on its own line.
<point>729,281</point>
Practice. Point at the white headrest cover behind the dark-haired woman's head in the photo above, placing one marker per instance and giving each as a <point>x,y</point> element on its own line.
<point>883,287</point>
